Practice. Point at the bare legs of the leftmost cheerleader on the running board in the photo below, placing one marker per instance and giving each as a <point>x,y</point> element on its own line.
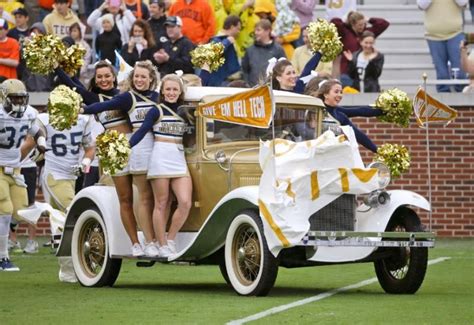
<point>123,186</point>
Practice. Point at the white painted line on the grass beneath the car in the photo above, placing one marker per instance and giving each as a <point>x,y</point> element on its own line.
<point>321,296</point>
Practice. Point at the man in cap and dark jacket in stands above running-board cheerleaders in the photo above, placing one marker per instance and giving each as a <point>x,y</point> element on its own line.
<point>173,53</point>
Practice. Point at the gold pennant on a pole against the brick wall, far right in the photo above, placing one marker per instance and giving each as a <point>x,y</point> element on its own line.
<point>432,110</point>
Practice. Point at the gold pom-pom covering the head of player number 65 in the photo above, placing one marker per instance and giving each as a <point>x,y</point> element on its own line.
<point>63,107</point>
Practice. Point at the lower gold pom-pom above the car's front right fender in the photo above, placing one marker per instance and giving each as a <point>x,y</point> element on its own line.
<point>396,157</point>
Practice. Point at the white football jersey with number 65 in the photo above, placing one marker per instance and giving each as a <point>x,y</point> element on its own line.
<point>63,148</point>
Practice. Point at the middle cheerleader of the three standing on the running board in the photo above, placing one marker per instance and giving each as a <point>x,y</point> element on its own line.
<point>136,103</point>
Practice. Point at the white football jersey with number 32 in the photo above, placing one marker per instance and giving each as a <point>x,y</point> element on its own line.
<point>13,132</point>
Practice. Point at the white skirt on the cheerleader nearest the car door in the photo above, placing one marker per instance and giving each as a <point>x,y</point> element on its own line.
<point>167,161</point>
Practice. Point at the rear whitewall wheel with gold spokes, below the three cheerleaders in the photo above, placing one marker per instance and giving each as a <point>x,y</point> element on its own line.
<point>90,252</point>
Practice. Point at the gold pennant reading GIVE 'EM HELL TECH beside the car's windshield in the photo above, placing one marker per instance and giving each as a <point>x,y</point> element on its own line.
<point>253,107</point>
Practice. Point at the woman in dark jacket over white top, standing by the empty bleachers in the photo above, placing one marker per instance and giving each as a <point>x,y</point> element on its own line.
<point>366,64</point>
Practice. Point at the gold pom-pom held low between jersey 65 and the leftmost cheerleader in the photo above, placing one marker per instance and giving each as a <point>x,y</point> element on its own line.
<point>113,150</point>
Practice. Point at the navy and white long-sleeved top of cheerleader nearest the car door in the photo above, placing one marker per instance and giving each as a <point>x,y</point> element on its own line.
<point>165,123</point>
